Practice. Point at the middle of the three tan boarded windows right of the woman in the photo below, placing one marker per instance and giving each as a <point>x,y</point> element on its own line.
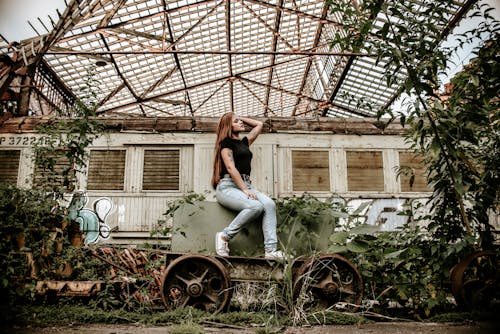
<point>365,171</point>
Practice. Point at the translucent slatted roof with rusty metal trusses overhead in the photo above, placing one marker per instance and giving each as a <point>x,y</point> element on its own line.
<point>161,58</point>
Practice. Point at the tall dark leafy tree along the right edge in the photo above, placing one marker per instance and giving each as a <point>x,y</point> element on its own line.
<point>468,127</point>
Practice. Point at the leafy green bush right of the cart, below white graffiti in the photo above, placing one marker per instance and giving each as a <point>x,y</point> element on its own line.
<point>405,269</point>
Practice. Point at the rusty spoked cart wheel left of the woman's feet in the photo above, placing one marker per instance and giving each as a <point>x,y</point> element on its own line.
<point>198,281</point>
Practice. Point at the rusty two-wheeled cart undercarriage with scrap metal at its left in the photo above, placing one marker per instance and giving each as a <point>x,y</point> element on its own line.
<point>207,282</point>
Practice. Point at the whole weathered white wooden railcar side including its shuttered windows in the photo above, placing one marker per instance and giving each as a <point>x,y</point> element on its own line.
<point>140,168</point>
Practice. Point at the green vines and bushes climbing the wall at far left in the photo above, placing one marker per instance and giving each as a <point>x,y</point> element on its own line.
<point>38,214</point>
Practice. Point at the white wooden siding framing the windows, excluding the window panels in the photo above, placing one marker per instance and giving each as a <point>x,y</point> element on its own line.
<point>135,211</point>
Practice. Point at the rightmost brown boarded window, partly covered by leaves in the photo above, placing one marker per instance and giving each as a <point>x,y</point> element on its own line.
<point>408,160</point>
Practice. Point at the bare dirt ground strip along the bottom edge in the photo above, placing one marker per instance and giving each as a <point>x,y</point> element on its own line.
<point>375,328</point>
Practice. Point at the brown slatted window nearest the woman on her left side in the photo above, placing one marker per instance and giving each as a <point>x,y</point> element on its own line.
<point>161,170</point>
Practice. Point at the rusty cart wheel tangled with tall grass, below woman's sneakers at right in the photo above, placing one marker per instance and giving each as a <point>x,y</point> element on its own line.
<point>330,280</point>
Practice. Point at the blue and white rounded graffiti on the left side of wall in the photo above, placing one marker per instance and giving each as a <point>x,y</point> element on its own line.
<point>92,221</point>
